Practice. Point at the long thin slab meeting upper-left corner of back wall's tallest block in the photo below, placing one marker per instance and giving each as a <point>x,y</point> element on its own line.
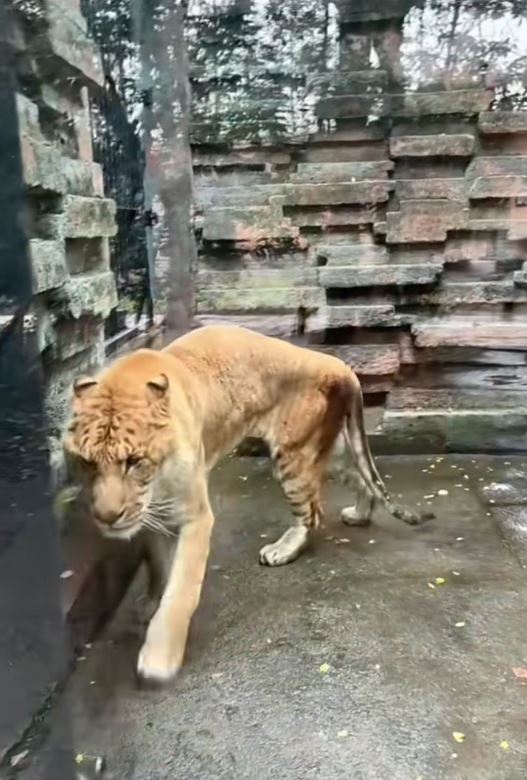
<point>335,194</point>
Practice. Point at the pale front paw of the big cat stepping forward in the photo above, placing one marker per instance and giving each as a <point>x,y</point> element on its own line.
<point>161,656</point>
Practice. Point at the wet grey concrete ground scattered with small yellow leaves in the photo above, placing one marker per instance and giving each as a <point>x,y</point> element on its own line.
<point>406,665</point>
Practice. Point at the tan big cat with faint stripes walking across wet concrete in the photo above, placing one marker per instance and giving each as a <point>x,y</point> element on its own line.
<point>148,430</point>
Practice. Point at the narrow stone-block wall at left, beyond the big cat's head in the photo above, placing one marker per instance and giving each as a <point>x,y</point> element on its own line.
<point>68,218</point>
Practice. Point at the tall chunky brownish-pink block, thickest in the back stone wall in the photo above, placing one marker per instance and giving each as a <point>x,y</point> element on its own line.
<point>425,221</point>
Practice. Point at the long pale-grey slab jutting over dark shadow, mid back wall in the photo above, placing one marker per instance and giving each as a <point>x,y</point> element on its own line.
<point>379,275</point>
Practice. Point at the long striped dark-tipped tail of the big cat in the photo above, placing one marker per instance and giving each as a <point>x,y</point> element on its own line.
<point>357,441</point>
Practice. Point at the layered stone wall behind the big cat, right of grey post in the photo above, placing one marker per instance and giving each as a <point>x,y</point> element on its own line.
<point>363,174</point>
